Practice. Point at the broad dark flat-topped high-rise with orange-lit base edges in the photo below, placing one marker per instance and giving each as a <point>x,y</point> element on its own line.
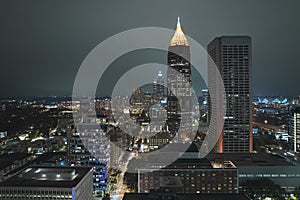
<point>232,56</point>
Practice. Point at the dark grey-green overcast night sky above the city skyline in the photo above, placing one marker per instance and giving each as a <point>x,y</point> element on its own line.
<point>43,43</point>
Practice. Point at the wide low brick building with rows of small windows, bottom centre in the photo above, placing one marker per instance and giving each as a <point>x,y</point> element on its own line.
<point>190,176</point>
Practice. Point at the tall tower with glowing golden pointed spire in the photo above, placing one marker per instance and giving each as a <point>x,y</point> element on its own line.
<point>178,63</point>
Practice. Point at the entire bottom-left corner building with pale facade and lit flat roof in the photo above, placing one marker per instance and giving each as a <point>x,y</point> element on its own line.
<point>36,182</point>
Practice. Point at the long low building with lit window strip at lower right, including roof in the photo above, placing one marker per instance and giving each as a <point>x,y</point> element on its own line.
<point>256,166</point>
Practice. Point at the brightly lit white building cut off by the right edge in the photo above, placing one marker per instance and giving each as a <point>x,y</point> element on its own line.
<point>295,128</point>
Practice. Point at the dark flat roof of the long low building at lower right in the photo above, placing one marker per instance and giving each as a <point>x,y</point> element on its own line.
<point>250,159</point>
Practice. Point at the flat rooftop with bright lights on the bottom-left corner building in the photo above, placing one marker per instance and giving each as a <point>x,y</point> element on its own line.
<point>49,176</point>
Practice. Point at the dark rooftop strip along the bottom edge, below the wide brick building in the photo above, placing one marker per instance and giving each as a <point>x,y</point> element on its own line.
<point>146,196</point>
